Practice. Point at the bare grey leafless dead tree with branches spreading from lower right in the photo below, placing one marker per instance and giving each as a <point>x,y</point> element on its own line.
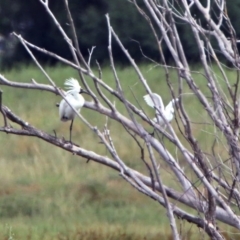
<point>218,177</point>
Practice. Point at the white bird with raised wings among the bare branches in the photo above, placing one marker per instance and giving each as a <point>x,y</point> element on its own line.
<point>155,101</point>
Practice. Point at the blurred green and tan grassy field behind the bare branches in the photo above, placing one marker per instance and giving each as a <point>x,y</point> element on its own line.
<point>46,193</point>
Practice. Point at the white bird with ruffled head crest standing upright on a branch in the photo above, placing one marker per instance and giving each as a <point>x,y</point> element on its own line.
<point>74,97</point>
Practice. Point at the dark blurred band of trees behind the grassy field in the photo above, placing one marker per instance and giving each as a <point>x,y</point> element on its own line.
<point>28,17</point>
